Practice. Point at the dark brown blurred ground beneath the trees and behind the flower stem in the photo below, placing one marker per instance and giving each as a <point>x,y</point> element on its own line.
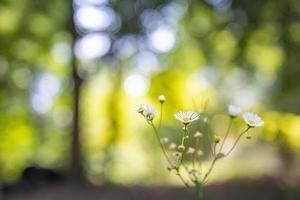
<point>262,189</point>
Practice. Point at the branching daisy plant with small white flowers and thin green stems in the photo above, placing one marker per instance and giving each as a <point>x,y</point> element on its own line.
<point>194,175</point>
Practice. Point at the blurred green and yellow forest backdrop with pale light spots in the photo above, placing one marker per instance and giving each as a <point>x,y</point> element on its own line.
<point>72,72</point>
